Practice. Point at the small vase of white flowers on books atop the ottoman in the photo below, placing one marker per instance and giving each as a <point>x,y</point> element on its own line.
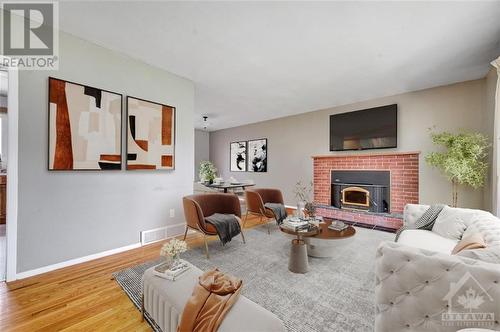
<point>173,266</point>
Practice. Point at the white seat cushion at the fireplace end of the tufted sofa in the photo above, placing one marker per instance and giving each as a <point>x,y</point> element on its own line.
<point>428,240</point>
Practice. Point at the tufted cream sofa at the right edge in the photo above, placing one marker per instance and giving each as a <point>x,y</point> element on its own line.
<point>418,279</point>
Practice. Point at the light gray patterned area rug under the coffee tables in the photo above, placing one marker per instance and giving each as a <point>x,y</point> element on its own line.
<point>337,294</point>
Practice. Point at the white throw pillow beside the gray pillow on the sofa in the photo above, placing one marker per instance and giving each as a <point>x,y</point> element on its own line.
<point>451,223</point>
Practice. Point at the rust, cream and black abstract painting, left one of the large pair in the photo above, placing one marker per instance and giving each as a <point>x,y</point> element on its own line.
<point>84,127</point>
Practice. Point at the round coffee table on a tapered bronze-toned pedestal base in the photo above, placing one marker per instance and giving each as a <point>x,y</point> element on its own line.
<point>297,262</point>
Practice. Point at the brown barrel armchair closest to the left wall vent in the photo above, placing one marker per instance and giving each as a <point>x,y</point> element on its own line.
<point>198,207</point>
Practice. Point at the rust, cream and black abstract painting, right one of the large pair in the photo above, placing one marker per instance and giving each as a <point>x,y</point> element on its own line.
<point>150,135</point>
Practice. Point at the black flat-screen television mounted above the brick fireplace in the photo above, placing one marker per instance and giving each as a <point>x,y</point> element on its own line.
<point>373,128</point>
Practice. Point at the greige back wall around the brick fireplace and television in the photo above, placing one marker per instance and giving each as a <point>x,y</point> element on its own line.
<point>293,140</point>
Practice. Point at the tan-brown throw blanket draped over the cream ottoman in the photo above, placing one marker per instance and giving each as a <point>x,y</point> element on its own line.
<point>212,298</point>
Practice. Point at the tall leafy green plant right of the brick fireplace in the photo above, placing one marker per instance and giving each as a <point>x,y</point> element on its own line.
<point>464,160</point>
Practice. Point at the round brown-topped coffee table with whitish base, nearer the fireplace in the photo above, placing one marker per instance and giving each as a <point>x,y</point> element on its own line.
<point>327,241</point>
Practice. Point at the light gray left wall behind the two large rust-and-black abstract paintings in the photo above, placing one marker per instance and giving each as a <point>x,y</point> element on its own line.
<point>69,214</point>
